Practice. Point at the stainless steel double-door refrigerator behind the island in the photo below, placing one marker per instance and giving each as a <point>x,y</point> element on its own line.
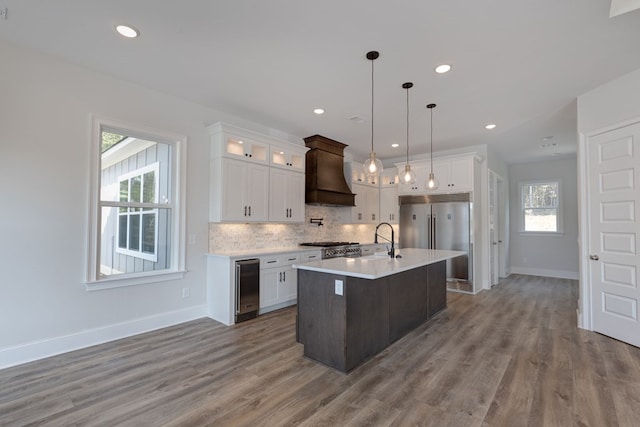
<point>440,222</point>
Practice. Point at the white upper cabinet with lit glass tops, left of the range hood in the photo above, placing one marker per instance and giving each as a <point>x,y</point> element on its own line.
<point>254,177</point>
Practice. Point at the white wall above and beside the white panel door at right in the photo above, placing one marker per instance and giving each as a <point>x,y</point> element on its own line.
<point>611,105</point>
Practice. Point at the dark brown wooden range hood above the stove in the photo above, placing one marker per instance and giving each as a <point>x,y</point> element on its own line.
<point>324,179</point>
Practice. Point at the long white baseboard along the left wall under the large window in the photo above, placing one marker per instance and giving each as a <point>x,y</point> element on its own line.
<point>36,350</point>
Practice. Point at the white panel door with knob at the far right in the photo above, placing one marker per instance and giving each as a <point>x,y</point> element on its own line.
<point>614,232</point>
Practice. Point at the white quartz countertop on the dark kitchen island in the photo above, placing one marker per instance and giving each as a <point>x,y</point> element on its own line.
<point>376,266</point>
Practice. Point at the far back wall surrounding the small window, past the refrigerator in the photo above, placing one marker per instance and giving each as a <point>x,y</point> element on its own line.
<point>557,255</point>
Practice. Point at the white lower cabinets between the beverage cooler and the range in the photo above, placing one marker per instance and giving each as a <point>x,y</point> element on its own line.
<point>278,281</point>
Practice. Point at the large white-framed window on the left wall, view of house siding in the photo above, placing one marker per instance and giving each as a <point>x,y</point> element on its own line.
<point>137,226</point>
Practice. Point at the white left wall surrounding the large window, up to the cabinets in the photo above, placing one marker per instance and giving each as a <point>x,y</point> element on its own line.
<point>45,111</point>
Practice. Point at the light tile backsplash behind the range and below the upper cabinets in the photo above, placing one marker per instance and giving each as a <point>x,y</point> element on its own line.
<point>226,237</point>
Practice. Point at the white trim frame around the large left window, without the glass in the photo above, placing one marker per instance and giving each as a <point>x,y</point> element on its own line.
<point>176,203</point>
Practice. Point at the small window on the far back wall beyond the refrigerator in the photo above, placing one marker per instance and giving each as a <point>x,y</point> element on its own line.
<point>540,206</point>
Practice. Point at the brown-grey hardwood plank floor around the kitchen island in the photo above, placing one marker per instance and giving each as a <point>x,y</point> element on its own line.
<point>511,356</point>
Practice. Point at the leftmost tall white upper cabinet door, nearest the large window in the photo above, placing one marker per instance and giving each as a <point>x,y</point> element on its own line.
<point>234,177</point>
